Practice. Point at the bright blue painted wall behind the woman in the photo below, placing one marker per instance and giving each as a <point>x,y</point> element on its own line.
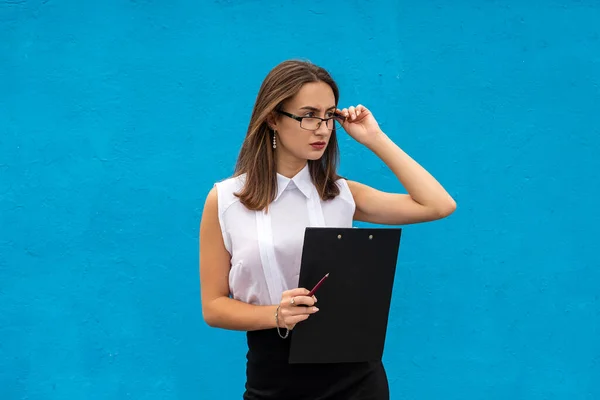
<point>116,118</point>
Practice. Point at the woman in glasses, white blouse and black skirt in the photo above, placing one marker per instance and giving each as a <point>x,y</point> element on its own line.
<point>253,225</point>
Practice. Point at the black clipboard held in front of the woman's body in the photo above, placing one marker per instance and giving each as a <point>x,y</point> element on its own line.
<point>354,301</point>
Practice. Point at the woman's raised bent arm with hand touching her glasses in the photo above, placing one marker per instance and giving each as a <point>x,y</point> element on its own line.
<point>426,200</point>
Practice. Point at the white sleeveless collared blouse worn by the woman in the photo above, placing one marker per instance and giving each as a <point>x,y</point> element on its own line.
<point>266,247</point>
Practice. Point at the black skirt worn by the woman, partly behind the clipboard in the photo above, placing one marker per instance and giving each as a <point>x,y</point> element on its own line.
<point>269,376</point>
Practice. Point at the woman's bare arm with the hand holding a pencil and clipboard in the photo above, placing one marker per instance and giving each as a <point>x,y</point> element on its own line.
<point>218,309</point>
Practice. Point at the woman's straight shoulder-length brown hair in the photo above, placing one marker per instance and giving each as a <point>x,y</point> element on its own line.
<point>256,158</point>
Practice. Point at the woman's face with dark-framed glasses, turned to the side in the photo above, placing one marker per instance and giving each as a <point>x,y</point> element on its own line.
<point>315,99</point>
